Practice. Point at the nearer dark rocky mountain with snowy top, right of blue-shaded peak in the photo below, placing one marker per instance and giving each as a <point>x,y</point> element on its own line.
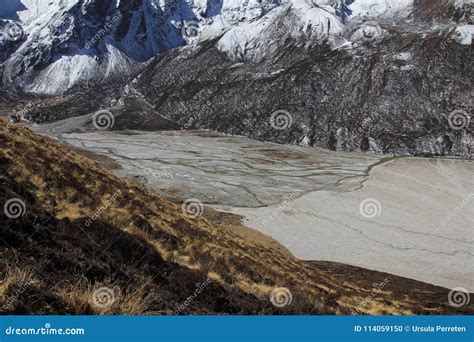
<point>379,76</point>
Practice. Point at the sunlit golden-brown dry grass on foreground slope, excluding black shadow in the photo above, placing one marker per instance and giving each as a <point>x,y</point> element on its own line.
<point>243,271</point>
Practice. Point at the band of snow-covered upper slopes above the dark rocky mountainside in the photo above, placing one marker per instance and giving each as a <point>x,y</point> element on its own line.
<point>66,42</point>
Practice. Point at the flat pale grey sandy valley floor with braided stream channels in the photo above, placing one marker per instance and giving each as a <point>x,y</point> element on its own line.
<point>406,216</point>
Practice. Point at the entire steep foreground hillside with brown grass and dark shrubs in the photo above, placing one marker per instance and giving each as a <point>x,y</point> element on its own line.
<point>79,229</point>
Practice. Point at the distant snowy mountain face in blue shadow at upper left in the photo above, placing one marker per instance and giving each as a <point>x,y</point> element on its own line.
<point>69,42</point>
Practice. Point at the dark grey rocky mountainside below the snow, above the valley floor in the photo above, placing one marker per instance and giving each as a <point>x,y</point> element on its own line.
<point>407,94</point>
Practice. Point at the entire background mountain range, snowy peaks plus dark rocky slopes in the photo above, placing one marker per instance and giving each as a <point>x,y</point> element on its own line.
<point>388,76</point>
